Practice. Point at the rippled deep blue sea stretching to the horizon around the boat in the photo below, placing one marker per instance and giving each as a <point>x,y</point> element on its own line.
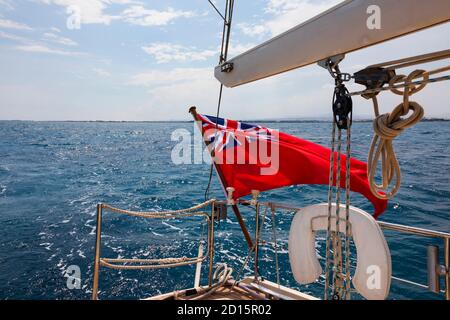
<point>52,175</point>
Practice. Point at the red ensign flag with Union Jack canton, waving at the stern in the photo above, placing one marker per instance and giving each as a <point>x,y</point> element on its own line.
<point>251,157</point>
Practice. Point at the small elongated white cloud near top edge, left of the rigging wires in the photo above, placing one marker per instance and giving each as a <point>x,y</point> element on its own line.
<point>139,15</point>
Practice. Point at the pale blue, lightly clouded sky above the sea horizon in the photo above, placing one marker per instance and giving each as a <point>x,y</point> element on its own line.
<point>133,60</point>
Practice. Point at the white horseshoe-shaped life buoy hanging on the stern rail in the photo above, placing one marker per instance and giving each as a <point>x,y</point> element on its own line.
<point>372,278</point>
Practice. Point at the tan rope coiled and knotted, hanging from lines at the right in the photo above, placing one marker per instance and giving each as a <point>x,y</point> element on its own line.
<point>390,125</point>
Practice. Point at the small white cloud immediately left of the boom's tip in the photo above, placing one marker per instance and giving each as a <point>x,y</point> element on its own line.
<point>167,52</point>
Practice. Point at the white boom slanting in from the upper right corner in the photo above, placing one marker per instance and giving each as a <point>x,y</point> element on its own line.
<point>342,29</point>
